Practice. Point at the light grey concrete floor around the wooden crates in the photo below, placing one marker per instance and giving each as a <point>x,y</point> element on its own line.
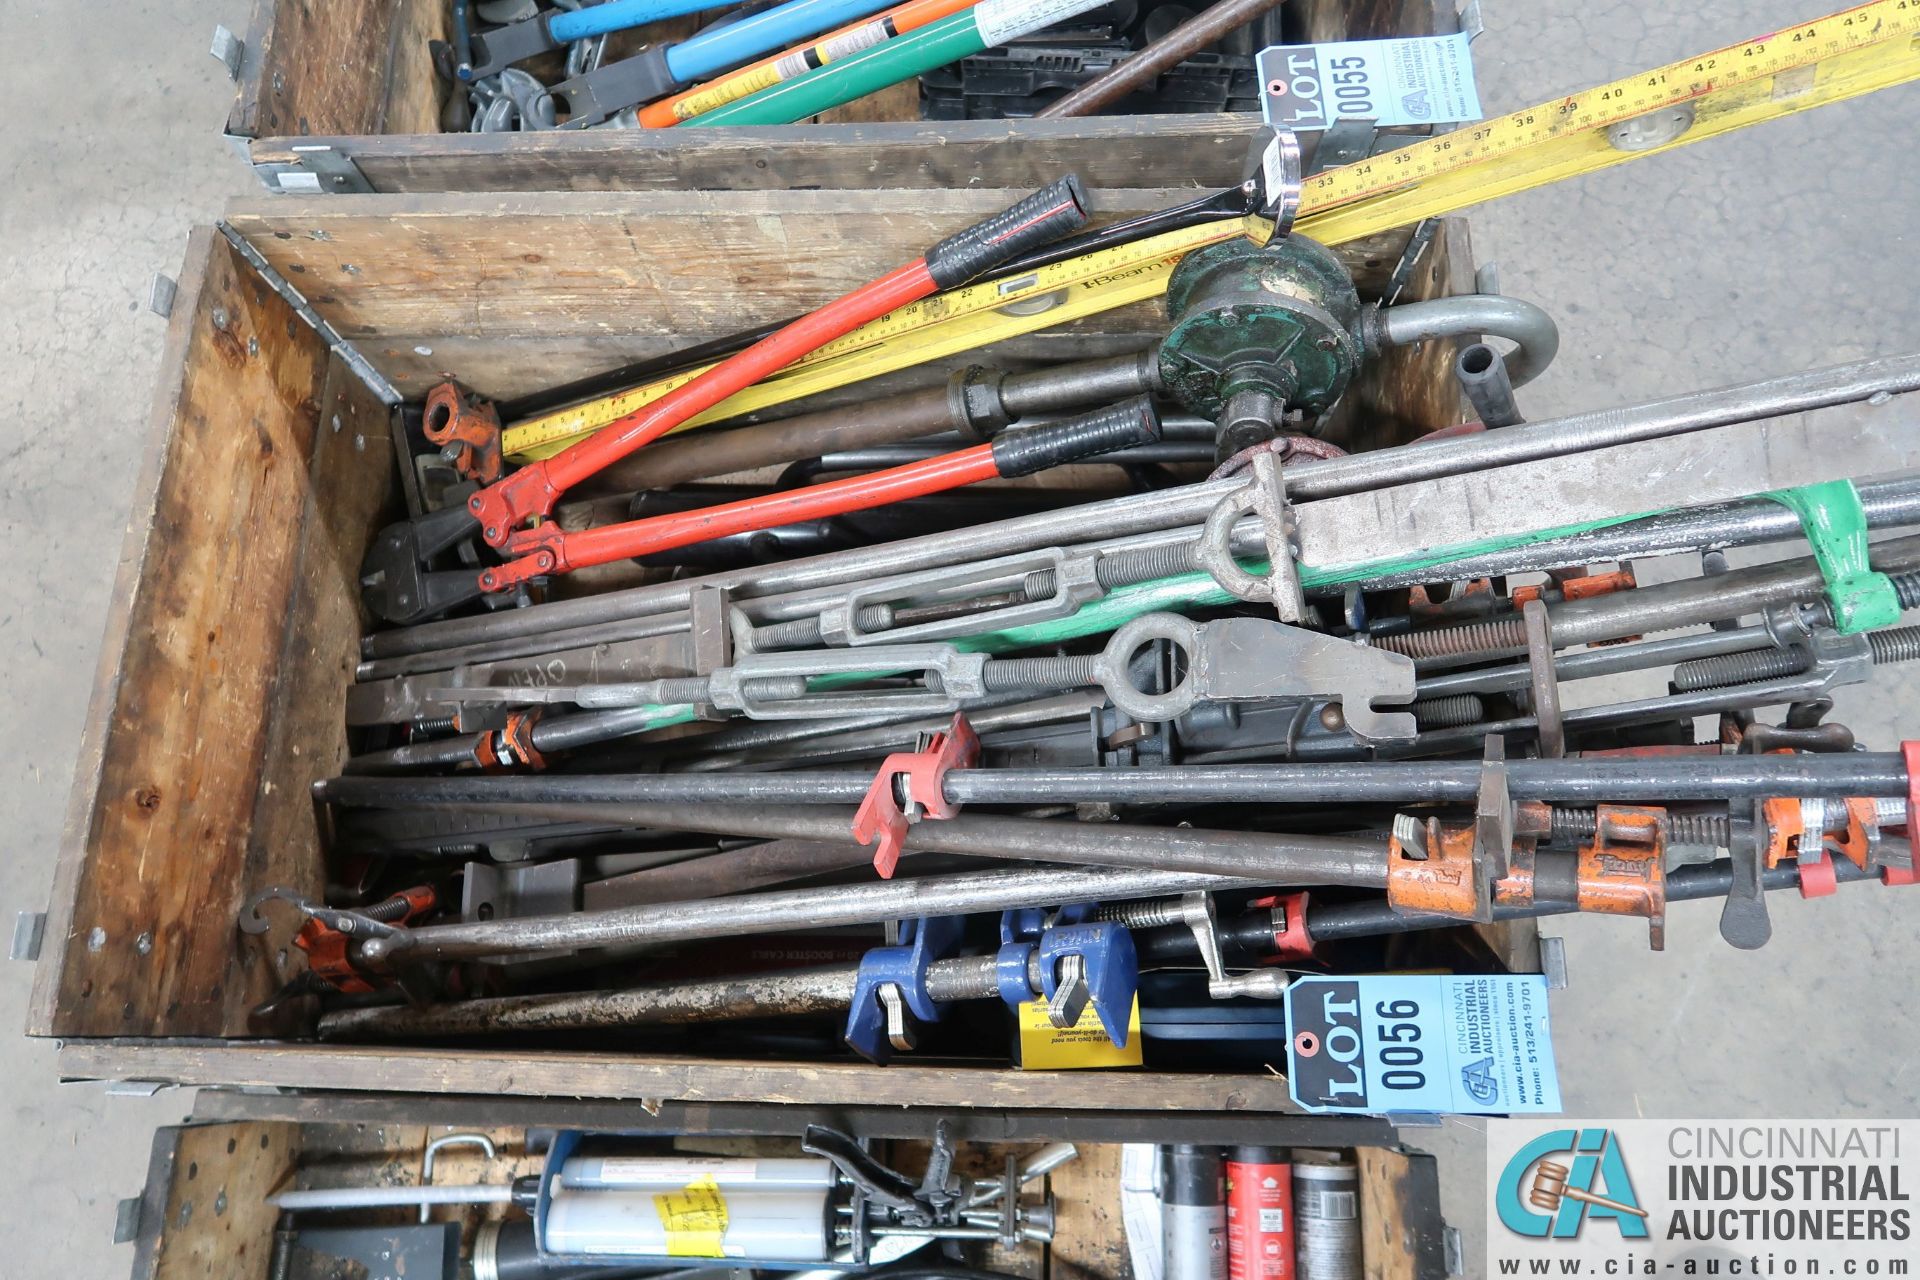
<point>1773,250</point>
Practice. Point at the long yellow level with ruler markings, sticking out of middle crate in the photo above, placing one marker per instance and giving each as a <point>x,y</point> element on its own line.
<point>1827,60</point>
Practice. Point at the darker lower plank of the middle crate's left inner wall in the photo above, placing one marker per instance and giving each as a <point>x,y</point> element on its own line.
<point>348,498</point>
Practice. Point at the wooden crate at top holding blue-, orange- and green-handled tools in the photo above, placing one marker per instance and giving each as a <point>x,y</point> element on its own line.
<point>341,97</point>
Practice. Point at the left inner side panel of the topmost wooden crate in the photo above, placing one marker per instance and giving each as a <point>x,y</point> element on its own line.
<point>318,68</point>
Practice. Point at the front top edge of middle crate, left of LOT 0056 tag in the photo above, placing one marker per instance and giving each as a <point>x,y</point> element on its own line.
<point>684,1079</point>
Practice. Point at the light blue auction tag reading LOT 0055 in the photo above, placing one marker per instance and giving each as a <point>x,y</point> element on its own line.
<point>1404,82</point>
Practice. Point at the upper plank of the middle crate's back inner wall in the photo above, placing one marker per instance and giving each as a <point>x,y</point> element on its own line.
<point>671,266</point>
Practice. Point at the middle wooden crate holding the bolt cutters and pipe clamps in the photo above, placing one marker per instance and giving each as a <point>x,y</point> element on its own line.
<point>237,621</point>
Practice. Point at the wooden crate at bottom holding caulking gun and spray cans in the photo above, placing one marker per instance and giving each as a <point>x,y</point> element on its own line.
<point>203,1210</point>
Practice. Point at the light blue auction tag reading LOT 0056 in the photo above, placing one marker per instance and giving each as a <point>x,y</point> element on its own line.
<point>1422,1045</point>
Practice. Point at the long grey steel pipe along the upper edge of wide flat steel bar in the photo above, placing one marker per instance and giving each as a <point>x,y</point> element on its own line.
<point>1191,504</point>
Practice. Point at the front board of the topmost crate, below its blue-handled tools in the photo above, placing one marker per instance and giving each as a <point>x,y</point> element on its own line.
<point>1189,153</point>
